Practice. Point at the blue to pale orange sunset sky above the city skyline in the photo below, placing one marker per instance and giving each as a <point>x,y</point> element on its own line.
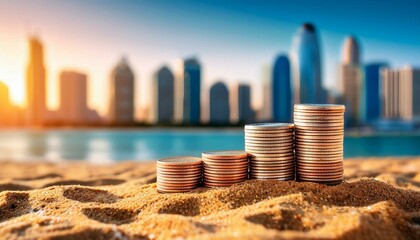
<point>233,40</point>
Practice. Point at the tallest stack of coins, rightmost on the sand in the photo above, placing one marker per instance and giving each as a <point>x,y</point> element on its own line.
<point>319,132</point>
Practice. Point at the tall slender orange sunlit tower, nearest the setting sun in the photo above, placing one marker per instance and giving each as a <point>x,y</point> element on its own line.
<point>35,84</point>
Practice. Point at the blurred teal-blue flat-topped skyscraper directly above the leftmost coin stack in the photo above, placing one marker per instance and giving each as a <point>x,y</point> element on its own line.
<point>192,91</point>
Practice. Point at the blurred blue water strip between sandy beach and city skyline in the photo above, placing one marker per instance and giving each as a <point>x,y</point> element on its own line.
<point>109,145</point>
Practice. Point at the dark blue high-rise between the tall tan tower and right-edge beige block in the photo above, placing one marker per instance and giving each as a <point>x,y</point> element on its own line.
<point>370,97</point>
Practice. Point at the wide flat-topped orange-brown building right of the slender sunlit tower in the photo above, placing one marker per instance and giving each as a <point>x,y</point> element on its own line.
<point>73,97</point>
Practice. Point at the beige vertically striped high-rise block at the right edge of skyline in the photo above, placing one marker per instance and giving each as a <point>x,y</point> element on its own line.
<point>400,88</point>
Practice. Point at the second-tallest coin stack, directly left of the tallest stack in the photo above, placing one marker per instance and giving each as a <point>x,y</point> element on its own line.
<point>270,146</point>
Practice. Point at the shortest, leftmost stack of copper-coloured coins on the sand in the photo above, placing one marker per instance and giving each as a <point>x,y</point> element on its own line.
<point>178,174</point>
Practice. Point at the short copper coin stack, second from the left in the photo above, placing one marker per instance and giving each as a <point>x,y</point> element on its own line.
<point>224,168</point>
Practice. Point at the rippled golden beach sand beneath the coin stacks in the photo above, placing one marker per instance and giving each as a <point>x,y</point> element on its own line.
<point>380,199</point>
